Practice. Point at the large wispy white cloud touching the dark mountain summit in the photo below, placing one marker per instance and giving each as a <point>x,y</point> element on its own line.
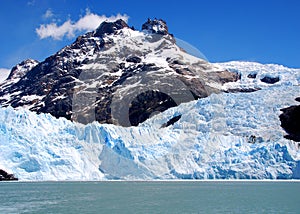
<point>86,23</point>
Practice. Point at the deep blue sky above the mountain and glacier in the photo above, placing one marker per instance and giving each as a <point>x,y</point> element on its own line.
<point>267,31</point>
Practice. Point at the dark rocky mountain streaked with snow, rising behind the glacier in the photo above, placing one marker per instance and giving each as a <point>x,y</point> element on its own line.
<point>114,74</point>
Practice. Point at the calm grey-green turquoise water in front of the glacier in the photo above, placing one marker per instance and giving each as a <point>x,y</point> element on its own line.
<point>150,197</point>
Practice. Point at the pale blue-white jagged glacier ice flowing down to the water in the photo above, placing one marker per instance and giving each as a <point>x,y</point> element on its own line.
<point>223,136</point>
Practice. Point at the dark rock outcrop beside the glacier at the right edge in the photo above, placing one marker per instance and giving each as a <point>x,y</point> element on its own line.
<point>290,122</point>
